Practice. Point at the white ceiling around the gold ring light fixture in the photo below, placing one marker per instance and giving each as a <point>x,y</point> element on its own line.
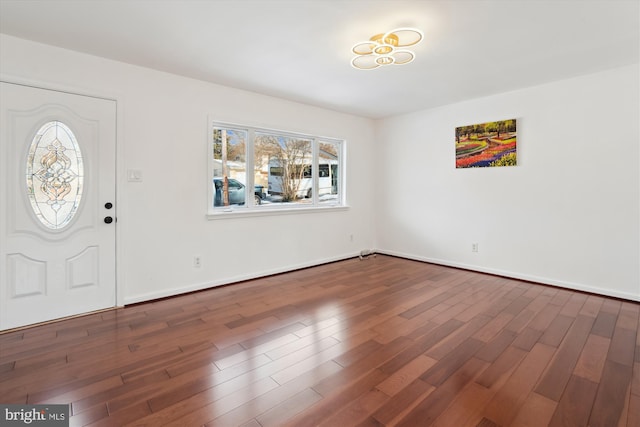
<point>301,49</point>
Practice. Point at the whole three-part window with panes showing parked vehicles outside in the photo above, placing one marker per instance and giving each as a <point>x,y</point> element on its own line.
<point>285,170</point>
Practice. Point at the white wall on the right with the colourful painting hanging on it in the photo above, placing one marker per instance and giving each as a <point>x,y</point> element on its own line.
<point>567,215</point>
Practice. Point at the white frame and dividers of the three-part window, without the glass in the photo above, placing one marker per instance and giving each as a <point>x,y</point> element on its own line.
<point>249,209</point>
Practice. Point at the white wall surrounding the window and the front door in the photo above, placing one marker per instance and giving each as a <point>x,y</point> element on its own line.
<point>162,130</point>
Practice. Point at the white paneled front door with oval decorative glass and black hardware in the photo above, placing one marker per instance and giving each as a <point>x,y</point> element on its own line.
<point>57,204</point>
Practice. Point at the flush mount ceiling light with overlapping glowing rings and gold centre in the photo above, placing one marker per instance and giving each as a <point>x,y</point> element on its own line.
<point>386,49</point>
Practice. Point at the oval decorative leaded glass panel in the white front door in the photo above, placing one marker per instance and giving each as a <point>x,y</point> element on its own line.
<point>55,175</point>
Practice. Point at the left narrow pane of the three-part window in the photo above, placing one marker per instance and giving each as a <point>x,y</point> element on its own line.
<point>229,166</point>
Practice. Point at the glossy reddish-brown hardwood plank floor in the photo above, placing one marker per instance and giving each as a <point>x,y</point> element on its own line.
<point>378,342</point>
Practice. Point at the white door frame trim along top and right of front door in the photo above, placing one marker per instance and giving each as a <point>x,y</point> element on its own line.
<point>117,97</point>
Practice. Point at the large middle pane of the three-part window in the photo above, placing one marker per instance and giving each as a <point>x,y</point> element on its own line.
<point>284,164</point>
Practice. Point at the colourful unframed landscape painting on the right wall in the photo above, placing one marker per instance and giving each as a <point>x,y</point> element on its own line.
<point>486,144</point>
